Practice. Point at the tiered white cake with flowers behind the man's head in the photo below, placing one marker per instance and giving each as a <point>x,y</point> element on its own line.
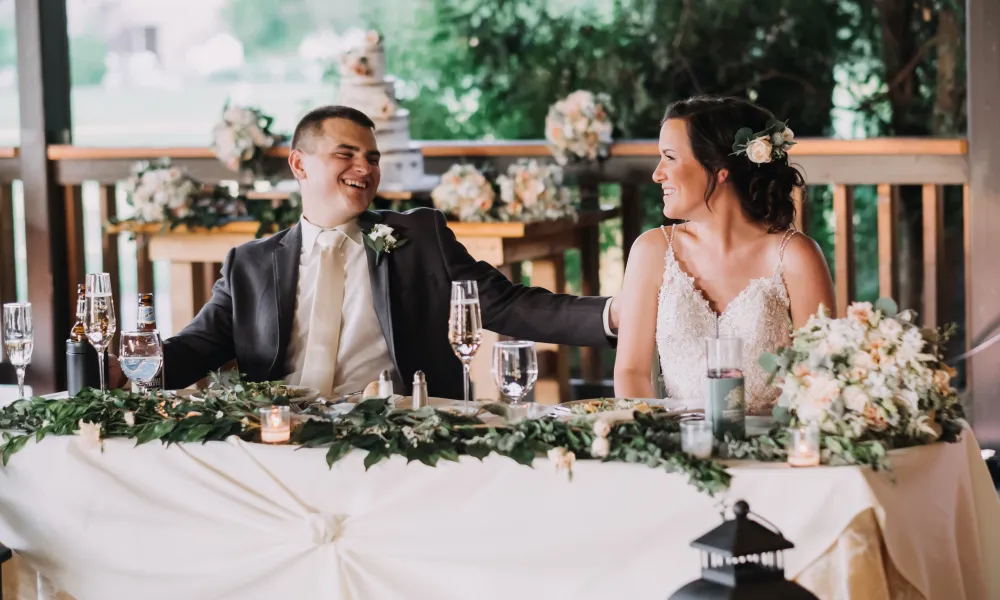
<point>365,86</point>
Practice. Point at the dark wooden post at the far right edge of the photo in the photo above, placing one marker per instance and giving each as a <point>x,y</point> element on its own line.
<point>983,71</point>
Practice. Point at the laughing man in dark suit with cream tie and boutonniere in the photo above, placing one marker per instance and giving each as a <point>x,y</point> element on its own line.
<point>315,305</point>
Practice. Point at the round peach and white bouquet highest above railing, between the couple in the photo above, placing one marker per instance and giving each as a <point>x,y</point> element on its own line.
<point>578,127</point>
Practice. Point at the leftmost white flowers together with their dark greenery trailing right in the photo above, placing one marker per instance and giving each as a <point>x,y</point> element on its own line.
<point>162,193</point>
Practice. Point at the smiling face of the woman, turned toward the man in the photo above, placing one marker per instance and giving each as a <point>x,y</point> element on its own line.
<point>682,177</point>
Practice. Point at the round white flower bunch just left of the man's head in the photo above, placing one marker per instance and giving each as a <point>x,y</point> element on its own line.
<point>242,137</point>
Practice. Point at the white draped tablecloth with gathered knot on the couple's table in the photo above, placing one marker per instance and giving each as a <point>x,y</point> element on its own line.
<point>237,520</point>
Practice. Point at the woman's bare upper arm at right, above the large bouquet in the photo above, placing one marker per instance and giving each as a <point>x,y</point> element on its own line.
<point>807,279</point>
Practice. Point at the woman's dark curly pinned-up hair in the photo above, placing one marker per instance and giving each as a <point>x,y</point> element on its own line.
<point>765,189</point>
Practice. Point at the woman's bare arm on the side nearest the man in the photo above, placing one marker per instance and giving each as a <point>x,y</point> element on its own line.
<point>636,305</point>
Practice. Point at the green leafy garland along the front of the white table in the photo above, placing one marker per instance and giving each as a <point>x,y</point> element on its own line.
<point>427,435</point>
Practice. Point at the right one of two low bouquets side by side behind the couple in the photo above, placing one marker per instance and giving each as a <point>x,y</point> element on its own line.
<point>532,191</point>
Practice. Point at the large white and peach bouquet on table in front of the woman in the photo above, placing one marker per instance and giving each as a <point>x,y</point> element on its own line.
<point>870,382</point>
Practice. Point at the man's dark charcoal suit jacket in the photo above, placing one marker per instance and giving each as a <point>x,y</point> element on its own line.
<point>249,316</point>
